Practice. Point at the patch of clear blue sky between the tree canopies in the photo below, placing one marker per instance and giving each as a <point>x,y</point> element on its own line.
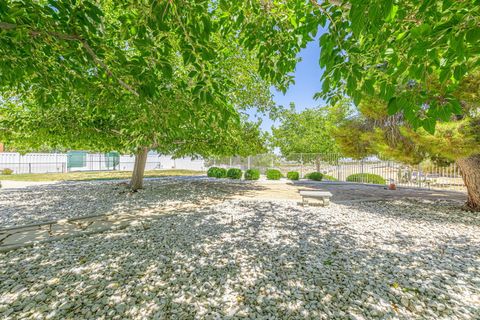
<point>307,82</point>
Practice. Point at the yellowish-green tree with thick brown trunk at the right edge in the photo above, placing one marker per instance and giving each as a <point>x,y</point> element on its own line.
<point>374,131</point>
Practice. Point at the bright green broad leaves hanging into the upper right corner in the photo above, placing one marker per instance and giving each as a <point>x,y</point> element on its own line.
<point>410,54</point>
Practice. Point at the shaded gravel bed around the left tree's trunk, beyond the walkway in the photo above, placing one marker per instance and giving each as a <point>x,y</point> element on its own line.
<point>43,203</point>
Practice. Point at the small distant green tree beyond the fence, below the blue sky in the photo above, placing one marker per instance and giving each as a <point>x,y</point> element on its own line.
<point>307,132</point>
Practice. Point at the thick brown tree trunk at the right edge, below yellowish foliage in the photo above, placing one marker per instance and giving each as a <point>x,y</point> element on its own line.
<point>470,169</point>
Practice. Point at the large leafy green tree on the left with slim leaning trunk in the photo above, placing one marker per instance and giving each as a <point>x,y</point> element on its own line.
<point>139,75</point>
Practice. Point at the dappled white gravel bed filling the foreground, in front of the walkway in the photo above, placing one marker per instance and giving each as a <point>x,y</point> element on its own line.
<point>258,259</point>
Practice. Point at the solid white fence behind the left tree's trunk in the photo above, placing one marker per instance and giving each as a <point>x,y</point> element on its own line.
<point>60,162</point>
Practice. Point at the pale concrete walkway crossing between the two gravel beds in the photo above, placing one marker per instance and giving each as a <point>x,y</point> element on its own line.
<point>343,193</point>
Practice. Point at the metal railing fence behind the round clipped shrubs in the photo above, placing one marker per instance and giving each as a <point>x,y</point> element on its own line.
<point>334,167</point>
